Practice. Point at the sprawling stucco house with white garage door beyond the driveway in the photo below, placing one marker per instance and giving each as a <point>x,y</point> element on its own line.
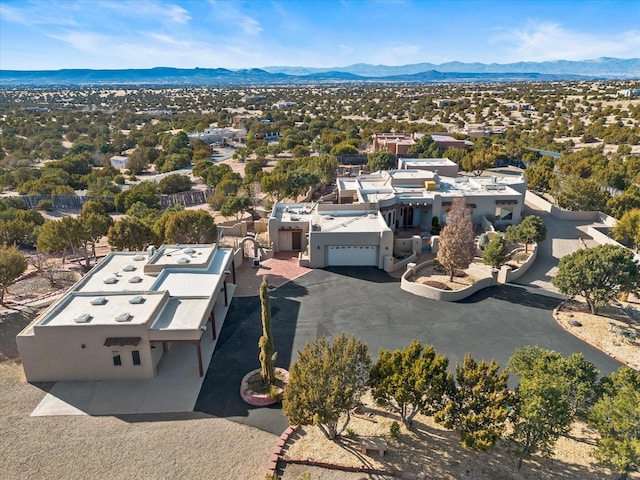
<point>371,208</point>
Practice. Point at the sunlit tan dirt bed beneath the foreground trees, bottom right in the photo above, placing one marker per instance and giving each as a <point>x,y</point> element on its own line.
<point>431,450</point>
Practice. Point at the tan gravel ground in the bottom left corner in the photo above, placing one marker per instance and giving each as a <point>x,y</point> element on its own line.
<point>190,445</point>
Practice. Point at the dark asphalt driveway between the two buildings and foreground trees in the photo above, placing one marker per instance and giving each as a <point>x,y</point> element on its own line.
<point>369,304</point>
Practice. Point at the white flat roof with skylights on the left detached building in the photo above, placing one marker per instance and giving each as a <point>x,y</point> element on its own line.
<point>174,298</point>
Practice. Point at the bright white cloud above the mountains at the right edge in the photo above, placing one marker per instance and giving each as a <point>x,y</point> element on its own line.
<point>543,41</point>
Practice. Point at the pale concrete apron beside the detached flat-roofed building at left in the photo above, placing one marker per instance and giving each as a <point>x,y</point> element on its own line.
<point>174,389</point>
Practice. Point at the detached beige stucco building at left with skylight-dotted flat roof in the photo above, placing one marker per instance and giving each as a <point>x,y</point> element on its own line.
<point>119,319</point>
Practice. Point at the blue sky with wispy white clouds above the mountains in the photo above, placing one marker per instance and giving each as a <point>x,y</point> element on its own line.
<point>55,34</point>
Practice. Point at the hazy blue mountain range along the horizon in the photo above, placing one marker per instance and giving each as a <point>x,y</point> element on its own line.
<point>417,73</point>
